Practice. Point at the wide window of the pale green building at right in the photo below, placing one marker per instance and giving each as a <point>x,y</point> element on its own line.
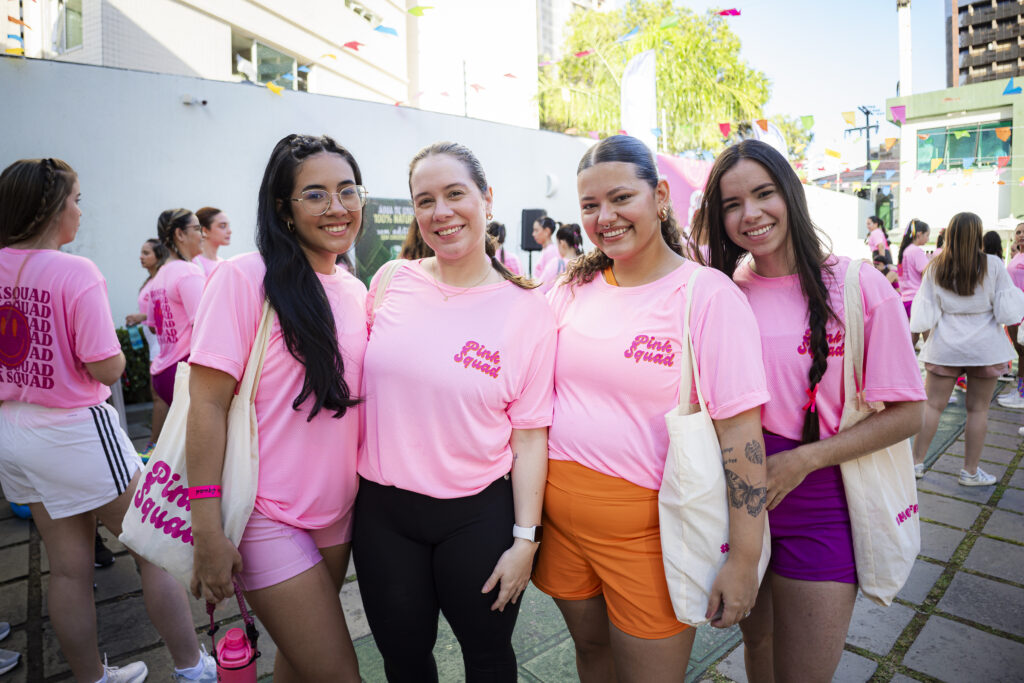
<point>978,146</point>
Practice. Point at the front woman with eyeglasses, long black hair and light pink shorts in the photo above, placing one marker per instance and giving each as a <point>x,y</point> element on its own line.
<point>293,556</point>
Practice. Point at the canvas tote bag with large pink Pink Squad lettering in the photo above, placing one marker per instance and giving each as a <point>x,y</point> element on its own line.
<point>158,525</point>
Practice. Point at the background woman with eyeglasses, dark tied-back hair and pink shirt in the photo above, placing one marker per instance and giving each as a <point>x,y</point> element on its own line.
<point>175,294</point>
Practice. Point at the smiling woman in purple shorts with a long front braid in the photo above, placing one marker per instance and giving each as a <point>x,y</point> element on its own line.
<point>754,204</point>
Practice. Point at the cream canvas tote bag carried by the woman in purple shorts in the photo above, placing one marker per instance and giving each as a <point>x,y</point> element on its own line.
<point>881,489</point>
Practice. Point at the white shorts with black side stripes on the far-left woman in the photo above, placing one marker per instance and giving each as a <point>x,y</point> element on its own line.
<point>72,460</point>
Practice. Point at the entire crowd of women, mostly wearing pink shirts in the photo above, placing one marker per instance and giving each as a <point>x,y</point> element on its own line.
<point>460,430</point>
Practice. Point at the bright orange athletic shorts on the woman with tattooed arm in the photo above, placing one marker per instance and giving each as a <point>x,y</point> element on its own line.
<point>602,538</point>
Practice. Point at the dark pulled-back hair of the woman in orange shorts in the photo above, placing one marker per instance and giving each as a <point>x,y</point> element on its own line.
<point>630,151</point>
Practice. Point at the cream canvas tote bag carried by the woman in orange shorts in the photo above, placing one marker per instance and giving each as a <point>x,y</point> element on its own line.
<point>693,503</point>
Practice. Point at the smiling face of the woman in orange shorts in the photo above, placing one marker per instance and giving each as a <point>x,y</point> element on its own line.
<point>620,210</point>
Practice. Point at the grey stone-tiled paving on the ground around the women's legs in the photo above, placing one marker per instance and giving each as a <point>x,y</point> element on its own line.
<point>960,618</point>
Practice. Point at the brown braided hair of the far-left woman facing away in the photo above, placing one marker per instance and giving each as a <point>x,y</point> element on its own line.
<point>32,195</point>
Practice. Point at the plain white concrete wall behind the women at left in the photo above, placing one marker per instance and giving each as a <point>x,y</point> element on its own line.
<point>139,151</point>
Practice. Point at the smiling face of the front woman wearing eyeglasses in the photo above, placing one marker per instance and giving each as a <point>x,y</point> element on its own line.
<point>323,238</point>
